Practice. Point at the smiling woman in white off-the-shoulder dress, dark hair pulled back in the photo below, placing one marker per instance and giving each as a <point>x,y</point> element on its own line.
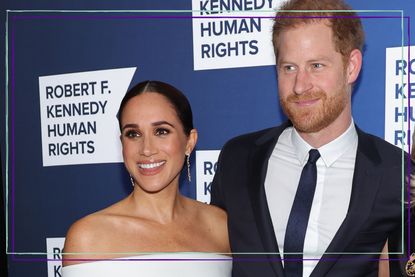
<point>157,136</point>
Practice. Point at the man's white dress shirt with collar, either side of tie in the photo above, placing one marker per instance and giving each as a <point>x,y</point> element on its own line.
<point>335,170</point>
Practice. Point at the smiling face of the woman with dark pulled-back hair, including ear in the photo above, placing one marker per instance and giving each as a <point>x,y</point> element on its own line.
<point>153,140</point>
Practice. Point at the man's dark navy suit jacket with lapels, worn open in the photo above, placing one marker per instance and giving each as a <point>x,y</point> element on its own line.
<point>375,208</point>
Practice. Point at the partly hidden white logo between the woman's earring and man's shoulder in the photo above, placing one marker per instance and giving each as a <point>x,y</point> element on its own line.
<point>206,162</point>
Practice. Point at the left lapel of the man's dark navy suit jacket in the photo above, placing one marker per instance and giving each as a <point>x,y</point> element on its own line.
<point>258,168</point>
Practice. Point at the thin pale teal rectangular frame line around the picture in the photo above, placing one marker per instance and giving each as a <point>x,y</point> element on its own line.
<point>177,11</point>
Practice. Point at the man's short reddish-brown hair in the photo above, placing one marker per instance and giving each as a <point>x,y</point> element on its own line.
<point>347,28</point>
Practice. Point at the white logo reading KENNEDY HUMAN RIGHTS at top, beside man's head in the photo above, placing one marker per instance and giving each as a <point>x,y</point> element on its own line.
<point>232,42</point>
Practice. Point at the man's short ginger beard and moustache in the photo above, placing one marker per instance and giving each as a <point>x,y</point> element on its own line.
<point>319,115</point>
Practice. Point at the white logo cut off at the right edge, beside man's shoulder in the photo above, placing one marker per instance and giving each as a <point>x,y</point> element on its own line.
<point>397,112</point>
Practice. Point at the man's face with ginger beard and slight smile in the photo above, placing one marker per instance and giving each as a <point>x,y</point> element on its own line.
<point>314,87</point>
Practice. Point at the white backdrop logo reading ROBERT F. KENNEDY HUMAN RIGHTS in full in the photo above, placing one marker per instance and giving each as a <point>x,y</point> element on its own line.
<point>78,116</point>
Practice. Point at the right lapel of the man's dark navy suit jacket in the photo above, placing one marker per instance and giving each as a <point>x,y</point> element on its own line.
<point>365,185</point>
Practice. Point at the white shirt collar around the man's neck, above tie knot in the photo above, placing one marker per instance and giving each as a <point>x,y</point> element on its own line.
<point>329,152</point>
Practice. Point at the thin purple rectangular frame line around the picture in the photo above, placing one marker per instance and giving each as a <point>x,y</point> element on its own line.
<point>16,17</point>
